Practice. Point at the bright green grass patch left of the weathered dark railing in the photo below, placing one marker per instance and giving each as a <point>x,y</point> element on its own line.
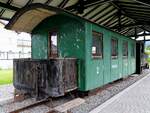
<point>6,76</point>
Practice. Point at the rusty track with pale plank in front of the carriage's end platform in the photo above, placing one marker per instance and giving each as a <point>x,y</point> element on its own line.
<point>52,105</point>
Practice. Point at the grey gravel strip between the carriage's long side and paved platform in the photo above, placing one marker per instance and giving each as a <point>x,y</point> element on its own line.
<point>102,96</point>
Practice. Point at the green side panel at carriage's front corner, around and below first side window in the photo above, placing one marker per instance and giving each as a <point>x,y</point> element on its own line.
<point>94,67</point>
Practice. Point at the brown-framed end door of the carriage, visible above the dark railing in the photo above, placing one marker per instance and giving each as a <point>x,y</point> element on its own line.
<point>53,45</point>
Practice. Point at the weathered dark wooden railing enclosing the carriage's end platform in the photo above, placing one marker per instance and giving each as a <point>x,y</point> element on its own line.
<point>52,77</point>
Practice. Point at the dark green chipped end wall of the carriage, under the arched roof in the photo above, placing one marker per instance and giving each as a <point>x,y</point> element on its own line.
<point>70,41</point>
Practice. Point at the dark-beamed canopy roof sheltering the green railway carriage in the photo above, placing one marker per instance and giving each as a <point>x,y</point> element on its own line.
<point>128,17</point>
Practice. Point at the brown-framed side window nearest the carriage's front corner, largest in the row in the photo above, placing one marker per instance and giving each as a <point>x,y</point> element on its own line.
<point>97,43</point>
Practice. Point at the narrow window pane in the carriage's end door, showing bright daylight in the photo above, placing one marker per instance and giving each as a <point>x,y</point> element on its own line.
<point>53,44</point>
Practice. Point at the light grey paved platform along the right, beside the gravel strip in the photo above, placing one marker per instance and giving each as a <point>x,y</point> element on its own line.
<point>134,99</point>
